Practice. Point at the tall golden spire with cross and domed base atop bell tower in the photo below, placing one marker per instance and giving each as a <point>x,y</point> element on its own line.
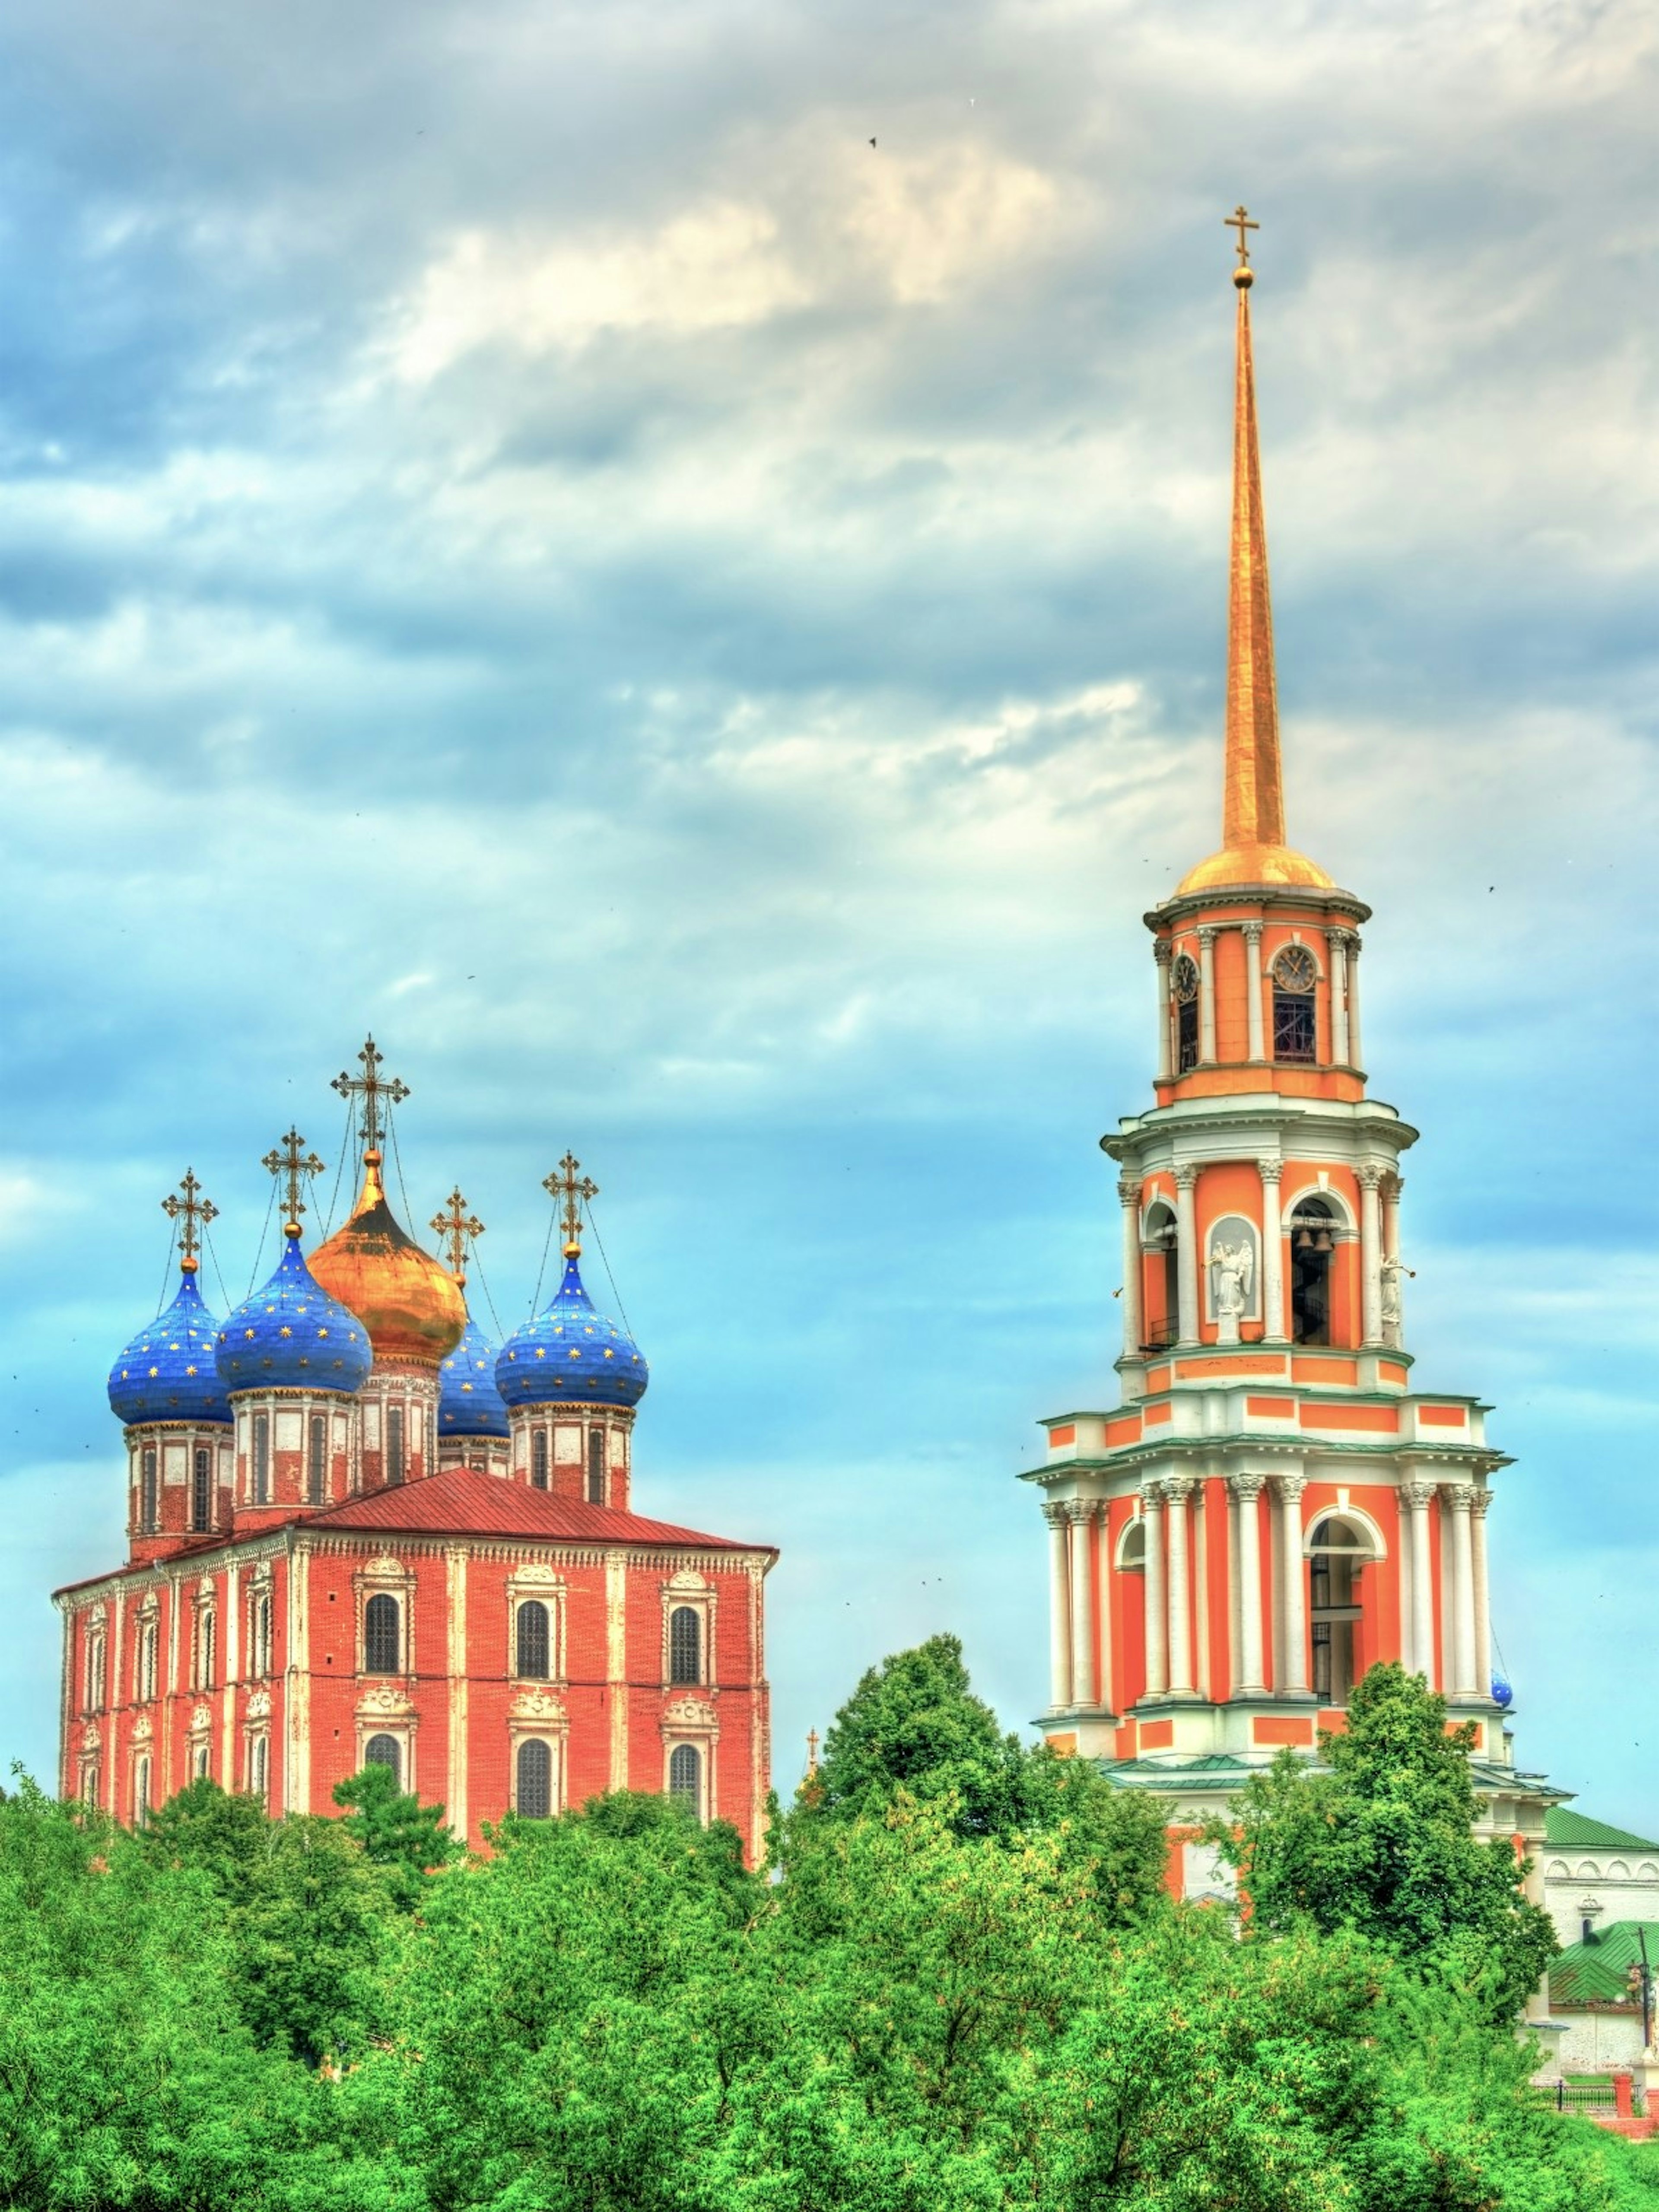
<point>1253,806</point>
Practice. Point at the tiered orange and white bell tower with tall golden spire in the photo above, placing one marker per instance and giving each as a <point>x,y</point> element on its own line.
<point>1271,1507</point>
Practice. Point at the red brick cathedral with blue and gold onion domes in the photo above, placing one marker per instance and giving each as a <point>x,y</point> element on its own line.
<point>364,1536</point>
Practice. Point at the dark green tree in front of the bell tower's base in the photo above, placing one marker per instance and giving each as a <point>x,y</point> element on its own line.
<point>1379,1839</point>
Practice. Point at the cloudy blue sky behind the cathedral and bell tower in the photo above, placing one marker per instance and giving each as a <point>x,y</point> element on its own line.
<point>525,532</point>
